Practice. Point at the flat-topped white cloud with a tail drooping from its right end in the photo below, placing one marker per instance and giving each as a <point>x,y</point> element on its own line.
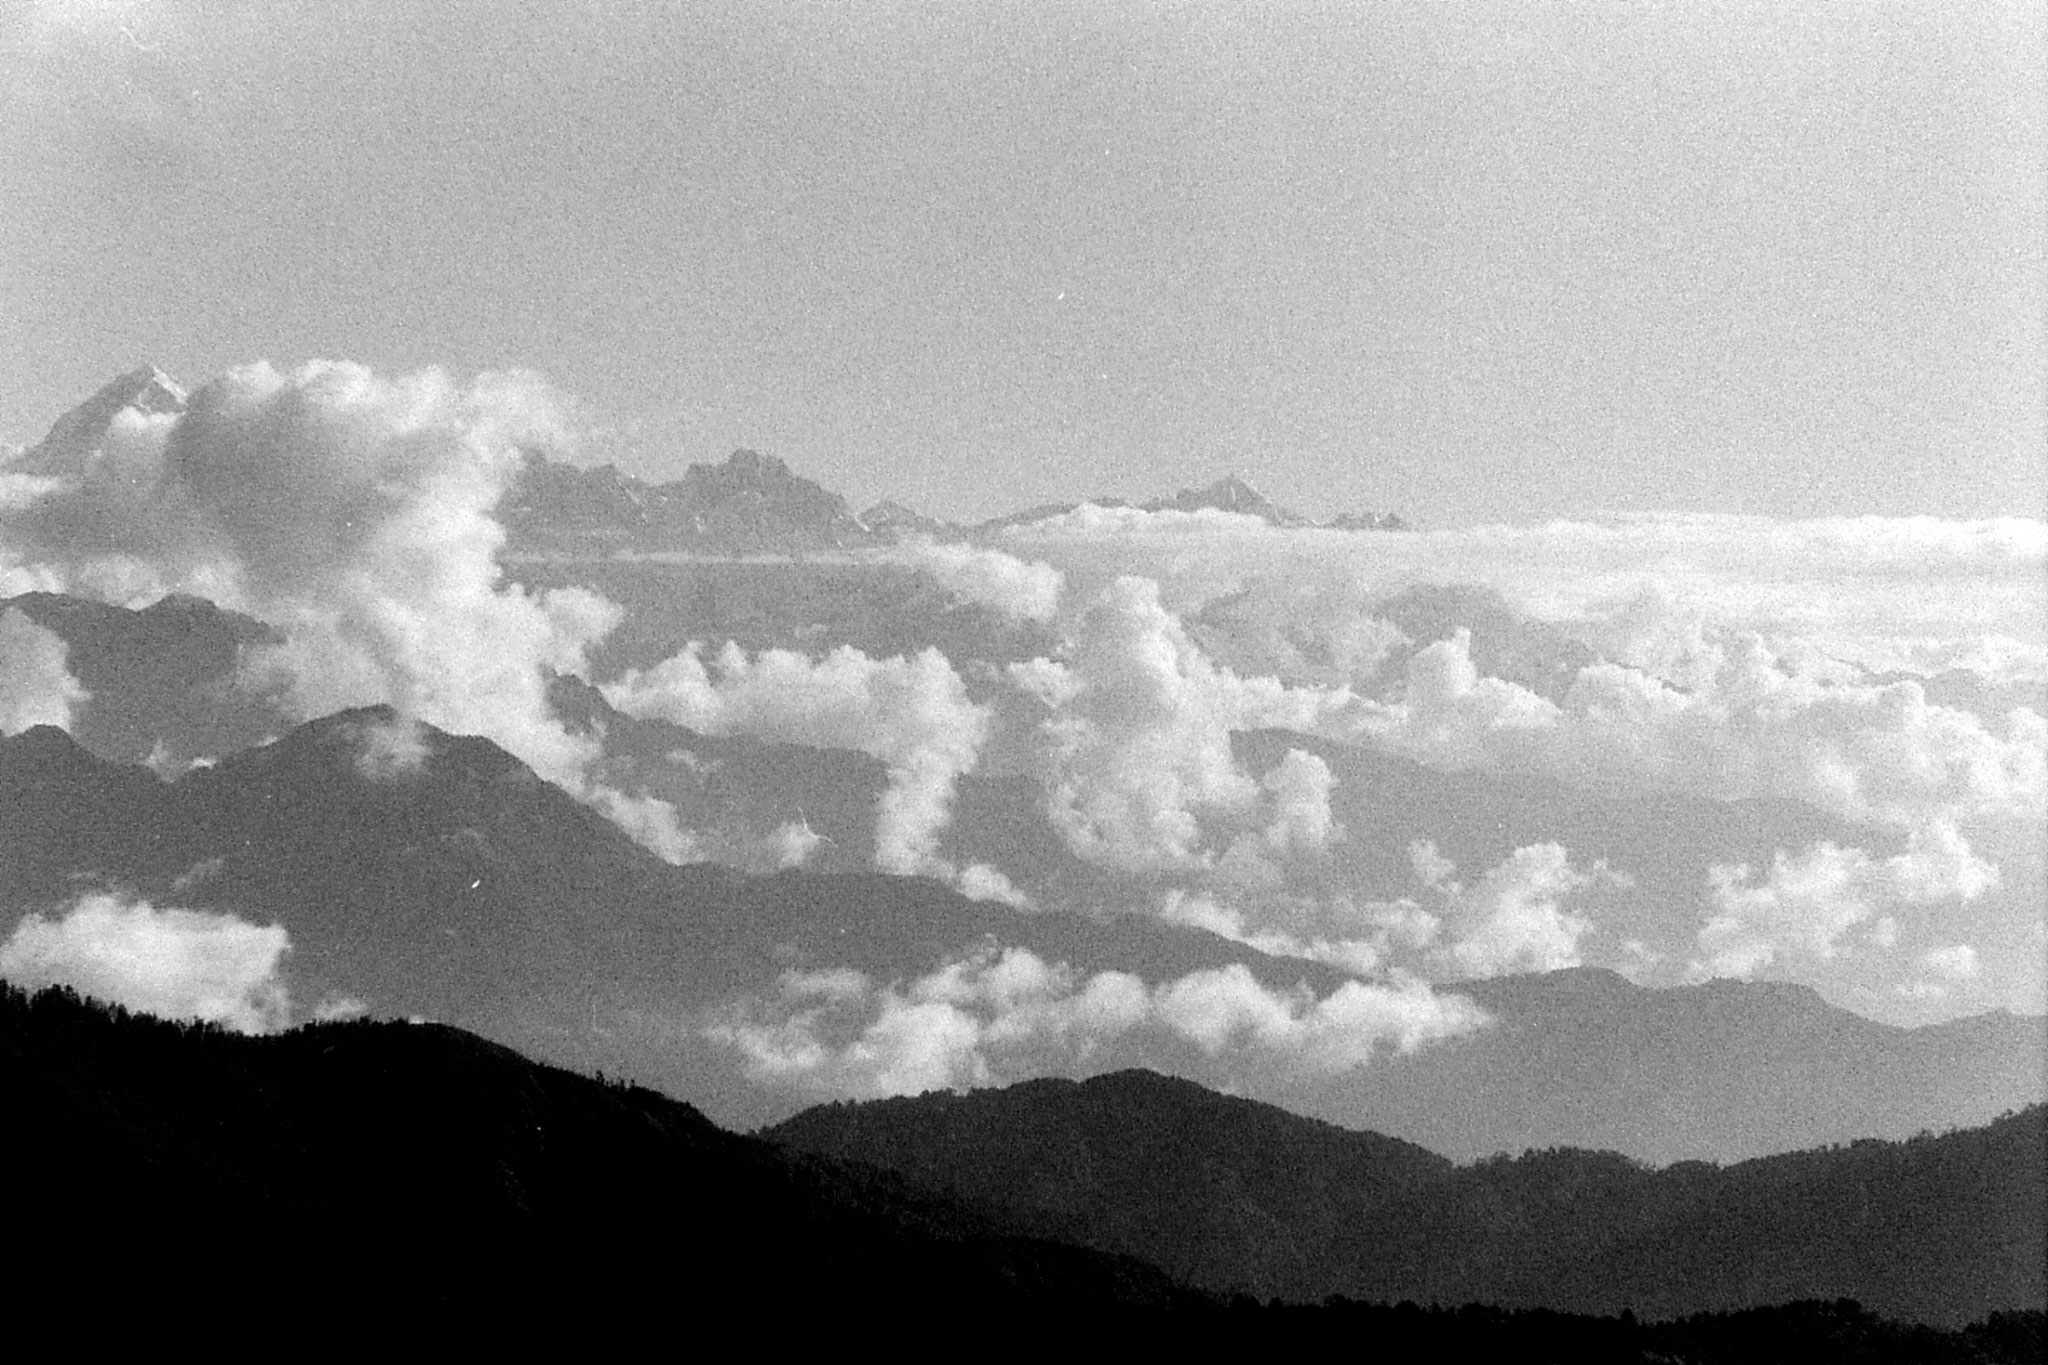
<point>912,715</point>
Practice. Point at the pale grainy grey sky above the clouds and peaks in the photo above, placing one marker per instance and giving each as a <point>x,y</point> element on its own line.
<point>1471,263</point>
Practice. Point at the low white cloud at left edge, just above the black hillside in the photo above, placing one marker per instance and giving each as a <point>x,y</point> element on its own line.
<point>171,963</point>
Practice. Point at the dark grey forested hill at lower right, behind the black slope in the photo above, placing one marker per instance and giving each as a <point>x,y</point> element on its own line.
<point>1244,1198</point>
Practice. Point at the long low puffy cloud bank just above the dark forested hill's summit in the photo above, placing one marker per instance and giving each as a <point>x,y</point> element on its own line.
<point>1000,1014</point>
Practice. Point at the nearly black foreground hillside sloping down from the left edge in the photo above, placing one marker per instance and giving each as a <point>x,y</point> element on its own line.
<point>353,1182</point>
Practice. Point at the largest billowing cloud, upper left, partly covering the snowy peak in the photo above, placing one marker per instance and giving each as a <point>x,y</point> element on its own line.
<point>353,515</point>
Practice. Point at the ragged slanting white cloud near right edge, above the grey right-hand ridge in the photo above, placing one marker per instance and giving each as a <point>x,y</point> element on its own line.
<point>1807,904</point>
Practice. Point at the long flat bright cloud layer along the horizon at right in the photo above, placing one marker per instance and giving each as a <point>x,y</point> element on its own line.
<point>1881,592</point>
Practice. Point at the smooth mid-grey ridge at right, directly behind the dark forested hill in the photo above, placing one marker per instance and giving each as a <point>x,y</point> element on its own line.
<point>1721,1069</point>
